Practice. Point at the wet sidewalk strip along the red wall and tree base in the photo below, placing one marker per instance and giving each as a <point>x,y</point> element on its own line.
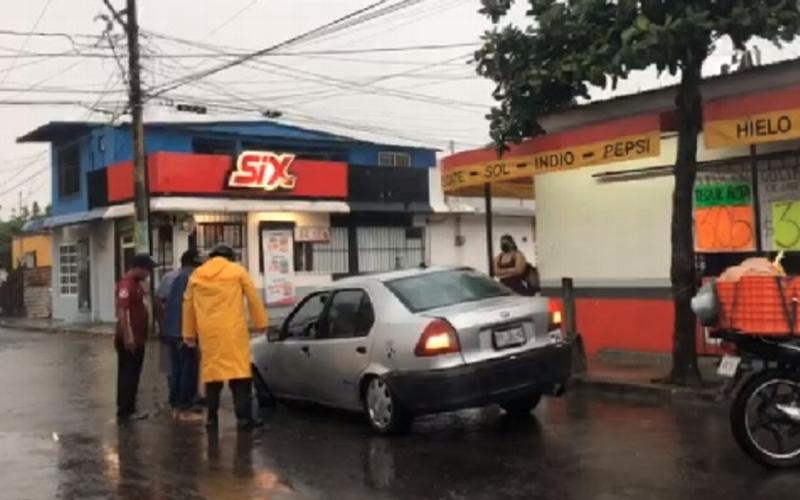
<point>634,373</point>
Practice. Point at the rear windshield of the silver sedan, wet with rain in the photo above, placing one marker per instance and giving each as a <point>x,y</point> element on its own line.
<point>445,288</point>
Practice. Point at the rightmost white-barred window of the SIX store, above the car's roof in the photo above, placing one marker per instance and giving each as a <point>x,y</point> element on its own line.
<point>389,248</point>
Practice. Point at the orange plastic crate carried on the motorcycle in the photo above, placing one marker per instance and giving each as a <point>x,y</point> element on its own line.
<point>755,305</point>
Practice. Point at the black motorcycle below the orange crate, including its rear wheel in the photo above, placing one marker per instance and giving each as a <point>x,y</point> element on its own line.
<point>764,376</point>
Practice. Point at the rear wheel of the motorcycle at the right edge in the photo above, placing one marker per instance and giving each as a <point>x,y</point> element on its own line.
<point>762,430</point>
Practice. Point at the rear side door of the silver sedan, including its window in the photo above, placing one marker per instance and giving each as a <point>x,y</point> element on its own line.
<point>340,352</point>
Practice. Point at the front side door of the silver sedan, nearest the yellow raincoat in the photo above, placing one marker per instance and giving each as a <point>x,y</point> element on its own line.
<point>290,374</point>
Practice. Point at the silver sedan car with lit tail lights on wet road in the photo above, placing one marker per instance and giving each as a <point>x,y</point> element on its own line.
<point>414,342</point>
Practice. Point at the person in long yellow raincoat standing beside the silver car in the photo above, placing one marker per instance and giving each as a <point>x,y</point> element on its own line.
<point>214,314</point>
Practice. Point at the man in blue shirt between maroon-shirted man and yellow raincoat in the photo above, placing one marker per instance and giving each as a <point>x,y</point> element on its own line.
<point>183,359</point>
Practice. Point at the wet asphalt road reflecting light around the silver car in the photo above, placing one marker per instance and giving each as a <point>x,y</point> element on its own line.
<point>58,439</point>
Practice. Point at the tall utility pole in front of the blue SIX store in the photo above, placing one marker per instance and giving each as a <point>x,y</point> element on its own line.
<point>140,193</point>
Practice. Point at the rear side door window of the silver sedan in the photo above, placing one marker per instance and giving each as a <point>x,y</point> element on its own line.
<point>350,315</point>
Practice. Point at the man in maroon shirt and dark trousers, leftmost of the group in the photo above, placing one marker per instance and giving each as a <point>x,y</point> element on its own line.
<point>131,335</point>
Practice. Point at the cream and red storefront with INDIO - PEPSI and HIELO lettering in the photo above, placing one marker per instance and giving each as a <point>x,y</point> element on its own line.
<point>603,189</point>
